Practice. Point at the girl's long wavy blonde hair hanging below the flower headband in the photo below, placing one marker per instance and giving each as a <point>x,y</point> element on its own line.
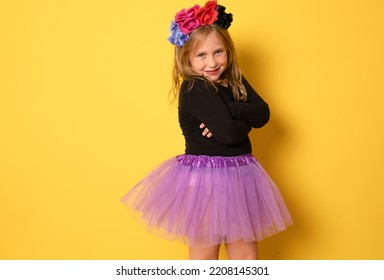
<point>182,69</point>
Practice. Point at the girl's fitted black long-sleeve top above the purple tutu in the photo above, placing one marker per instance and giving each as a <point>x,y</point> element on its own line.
<point>228,120</point>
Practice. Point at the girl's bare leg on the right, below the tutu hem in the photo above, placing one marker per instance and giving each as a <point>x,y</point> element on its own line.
<point>241,250</point>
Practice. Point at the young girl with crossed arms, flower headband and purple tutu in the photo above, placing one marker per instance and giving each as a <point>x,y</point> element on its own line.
<point>217,192</point>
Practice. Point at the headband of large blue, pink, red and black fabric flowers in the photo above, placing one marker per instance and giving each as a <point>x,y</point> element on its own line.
<point>187,20</point>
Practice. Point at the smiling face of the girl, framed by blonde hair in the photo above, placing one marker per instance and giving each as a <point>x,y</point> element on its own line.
<point>209,58</point>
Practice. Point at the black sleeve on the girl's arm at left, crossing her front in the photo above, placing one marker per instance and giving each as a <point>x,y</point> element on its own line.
<point>203,102</point>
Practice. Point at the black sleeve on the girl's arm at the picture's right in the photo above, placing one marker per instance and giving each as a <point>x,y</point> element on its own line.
<point>255,110</point>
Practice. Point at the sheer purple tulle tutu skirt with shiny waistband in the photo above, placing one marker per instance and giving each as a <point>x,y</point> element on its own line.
<point>209,200</point>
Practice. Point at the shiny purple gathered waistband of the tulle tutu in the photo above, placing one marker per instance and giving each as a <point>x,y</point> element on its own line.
<point>215,161</point>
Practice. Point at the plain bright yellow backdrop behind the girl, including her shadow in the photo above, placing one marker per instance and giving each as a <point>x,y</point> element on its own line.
<point>84,115</point>
